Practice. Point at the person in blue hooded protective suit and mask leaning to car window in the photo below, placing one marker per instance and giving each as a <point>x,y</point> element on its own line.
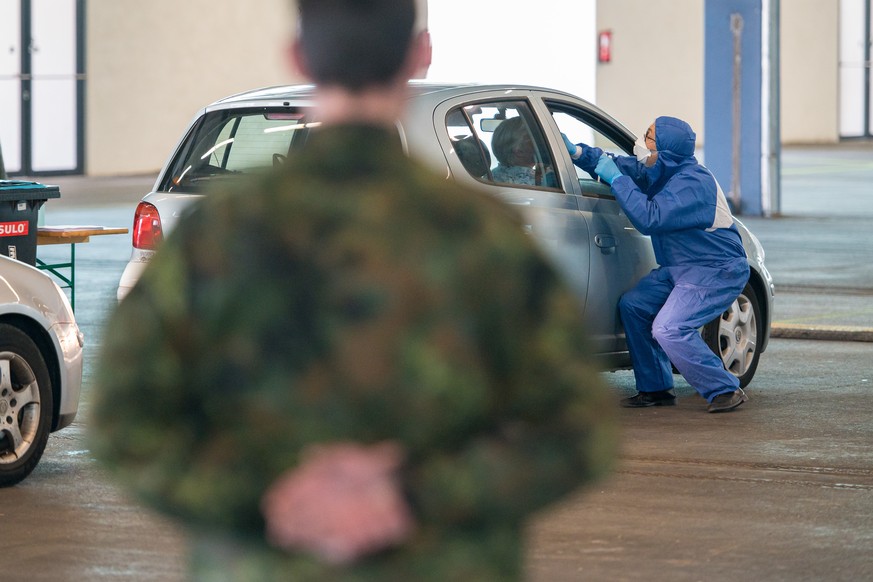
<point>702,269</point>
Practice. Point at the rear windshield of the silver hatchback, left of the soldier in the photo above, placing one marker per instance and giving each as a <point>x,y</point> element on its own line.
<point>234,142</point>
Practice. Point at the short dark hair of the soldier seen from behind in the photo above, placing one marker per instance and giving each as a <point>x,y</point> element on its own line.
<point>355,43</point>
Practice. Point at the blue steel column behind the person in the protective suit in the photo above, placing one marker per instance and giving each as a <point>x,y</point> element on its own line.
<point>756,165</point>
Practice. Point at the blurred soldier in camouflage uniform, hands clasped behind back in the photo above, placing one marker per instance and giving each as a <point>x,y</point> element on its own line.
<point>353,369</point>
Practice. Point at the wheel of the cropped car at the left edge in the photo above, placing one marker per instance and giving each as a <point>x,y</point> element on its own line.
<point>25,405</point>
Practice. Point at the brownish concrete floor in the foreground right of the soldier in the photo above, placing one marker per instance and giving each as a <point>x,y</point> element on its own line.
<point>781,489</point>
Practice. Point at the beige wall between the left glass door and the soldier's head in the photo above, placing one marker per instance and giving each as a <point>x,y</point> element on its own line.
<point>152,65</point>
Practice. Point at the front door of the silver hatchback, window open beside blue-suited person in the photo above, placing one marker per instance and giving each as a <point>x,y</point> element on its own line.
<point>619,254</point>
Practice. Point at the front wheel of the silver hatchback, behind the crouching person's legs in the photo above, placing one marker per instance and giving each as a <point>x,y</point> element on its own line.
<point>735,336</point>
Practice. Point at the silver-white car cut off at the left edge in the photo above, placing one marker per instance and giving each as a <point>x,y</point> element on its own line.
<point>40,366</point>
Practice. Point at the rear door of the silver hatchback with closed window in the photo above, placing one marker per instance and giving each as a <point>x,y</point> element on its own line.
<point>470,130</point>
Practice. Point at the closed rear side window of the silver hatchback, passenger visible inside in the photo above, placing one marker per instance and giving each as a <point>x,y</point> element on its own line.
<point>501,143</point>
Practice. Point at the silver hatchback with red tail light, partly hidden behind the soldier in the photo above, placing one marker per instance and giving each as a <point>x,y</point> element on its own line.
<point>574,217</point>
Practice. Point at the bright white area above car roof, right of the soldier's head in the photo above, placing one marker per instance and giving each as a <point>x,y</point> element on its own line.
<point>547,42</point>
